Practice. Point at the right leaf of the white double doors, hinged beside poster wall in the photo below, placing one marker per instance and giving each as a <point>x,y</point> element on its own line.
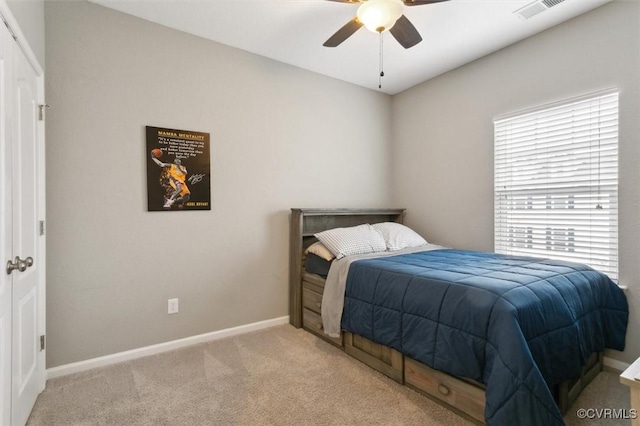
<point>26,339</point>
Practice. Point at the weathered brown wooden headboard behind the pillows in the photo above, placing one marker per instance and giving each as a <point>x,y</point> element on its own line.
<point>305,223</point>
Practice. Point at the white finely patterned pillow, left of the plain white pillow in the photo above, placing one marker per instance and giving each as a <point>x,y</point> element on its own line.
<point>359,239</point>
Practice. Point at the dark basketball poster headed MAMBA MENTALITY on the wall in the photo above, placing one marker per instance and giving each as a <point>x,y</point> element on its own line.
<point>178,170</point>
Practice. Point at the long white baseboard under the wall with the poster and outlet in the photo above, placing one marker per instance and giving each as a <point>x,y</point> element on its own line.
<point>102,361</point>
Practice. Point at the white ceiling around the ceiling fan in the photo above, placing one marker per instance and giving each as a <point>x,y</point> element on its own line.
<point>454,32</point>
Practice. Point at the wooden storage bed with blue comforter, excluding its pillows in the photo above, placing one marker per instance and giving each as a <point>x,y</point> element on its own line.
<point>493,361</point>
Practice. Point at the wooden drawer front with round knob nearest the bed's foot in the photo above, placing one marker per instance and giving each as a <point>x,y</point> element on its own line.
<point>463,396</point>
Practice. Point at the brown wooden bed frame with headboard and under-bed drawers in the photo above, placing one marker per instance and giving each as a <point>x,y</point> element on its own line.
<point>463,396</point>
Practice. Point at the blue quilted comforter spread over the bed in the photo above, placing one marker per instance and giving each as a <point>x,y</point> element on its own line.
<point>519,325</point>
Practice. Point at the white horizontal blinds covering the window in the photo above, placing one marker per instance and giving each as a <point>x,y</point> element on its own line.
<point>556,182</point>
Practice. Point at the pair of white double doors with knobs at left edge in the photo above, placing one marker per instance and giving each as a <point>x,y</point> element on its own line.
<point>22,362</point>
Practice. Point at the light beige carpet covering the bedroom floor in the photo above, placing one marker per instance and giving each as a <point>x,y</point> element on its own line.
<point>277,376</point>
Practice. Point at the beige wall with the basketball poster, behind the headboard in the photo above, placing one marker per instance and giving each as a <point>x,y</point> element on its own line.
<point>281,137</point>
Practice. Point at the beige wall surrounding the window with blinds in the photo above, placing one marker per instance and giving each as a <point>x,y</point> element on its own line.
<point>443,162</point>
